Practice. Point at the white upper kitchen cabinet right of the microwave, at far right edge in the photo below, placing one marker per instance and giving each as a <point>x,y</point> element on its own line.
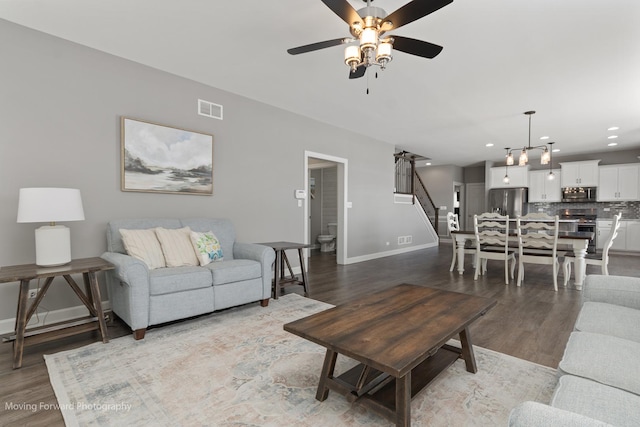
<point>618,183</point>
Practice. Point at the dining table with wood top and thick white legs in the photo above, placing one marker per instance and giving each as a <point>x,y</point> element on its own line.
<point>577,240</point>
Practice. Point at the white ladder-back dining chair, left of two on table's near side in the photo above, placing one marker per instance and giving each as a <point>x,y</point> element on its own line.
<point>492,243</point>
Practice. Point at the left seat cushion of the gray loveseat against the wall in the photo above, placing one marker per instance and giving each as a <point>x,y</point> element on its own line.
<point>177,279</point>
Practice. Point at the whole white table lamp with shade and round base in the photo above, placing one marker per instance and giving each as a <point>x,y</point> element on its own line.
<point>53,241</point>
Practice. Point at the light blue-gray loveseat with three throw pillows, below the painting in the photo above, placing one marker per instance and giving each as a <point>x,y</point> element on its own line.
<point>143,297</point>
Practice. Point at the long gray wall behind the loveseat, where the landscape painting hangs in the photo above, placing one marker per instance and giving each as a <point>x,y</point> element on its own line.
<point>60,106</point>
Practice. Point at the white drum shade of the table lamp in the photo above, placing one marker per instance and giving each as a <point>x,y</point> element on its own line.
<point>50,205</point>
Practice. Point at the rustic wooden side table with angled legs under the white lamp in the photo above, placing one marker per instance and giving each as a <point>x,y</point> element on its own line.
<point>89,267</point>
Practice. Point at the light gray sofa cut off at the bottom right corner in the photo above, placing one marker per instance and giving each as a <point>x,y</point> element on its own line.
<point>599,375</point>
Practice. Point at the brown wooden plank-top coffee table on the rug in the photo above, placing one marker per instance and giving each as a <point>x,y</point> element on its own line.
<point>399,337</point>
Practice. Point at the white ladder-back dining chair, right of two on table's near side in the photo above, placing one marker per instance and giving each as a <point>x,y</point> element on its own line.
<point>538,243</point>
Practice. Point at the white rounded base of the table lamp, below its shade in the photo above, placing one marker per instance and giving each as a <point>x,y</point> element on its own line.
<point>53,245</point>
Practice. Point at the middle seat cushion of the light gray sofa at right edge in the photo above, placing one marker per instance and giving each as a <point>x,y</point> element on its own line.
<point>602,358</point>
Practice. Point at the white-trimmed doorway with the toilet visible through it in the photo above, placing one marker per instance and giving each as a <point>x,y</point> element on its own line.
<point>326,184</point>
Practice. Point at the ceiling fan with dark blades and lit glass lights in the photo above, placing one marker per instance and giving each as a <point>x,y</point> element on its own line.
<point>368,25</point>
